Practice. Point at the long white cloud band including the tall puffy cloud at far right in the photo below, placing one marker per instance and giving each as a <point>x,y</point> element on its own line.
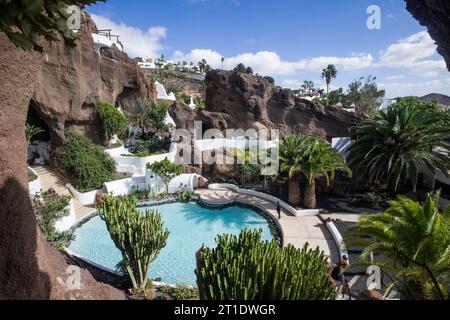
<point>409,54</point>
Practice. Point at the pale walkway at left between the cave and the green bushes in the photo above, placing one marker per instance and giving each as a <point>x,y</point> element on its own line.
<point>51,179</point>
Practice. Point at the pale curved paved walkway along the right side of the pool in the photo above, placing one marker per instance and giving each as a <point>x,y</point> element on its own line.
<point>297,230</point>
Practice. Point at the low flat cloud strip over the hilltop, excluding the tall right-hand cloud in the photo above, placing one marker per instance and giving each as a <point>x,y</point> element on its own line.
<point>270,63</point>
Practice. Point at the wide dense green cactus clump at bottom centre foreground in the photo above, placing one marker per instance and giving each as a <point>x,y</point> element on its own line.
<point>244,268</point>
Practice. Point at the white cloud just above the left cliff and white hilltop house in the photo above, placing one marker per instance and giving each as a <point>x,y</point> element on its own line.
<point>137,43</point>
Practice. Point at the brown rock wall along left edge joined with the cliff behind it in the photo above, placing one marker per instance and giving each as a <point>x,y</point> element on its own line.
<point>63,85</point>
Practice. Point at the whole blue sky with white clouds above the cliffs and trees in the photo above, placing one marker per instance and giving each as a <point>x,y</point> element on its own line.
<point>291,40</point>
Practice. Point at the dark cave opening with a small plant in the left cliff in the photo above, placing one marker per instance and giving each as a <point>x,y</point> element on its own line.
<point>38,134</point>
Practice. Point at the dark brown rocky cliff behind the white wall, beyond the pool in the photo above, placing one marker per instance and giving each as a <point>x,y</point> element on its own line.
<point>241,101</point>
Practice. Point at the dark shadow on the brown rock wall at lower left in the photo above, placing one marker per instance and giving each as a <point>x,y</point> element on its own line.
<point>20,277</point>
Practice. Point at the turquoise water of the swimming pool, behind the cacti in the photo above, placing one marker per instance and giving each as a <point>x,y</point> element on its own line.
<point>190,227</point>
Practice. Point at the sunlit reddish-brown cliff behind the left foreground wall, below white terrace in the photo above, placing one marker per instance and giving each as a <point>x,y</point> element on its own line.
<point>72,81</point>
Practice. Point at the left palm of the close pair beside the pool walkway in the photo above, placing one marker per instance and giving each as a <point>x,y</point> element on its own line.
<point>289,158</point>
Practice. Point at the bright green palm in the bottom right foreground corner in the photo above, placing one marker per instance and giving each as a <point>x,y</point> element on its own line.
<point>413,241</point>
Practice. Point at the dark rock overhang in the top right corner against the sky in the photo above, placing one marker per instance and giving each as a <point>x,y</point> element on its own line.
<point>435,15</point>
